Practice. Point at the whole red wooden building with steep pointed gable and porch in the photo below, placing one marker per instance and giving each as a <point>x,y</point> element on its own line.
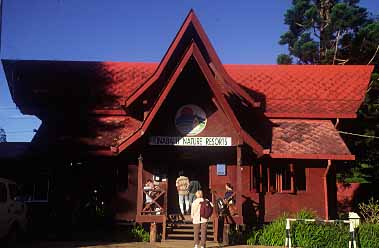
<point>270,130</point>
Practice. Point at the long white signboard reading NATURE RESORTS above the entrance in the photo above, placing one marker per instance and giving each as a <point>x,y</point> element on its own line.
<point>189,141</point>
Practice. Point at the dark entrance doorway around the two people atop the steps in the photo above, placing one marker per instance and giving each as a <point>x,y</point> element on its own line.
<point>194,170</point>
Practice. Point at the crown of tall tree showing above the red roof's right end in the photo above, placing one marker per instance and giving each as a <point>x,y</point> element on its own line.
<point>329,32</point>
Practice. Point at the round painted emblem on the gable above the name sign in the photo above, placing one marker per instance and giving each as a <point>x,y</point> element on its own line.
<point>190,120</point>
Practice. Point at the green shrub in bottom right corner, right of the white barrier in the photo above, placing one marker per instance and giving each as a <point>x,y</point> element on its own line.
<point>368,235</point>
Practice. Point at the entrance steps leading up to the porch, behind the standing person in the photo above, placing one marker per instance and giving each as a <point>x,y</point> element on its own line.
<point>182,228</point>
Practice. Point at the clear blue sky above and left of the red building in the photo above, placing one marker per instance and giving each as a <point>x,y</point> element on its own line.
<point>242,31</point>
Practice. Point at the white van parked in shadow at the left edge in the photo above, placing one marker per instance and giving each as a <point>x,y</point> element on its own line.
<point>13,218</point>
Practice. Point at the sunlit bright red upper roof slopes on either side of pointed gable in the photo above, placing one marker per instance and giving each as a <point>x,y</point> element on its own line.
<point>317,91</point>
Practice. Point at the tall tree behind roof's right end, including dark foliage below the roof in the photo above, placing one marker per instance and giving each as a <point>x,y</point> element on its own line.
<point>340,32</point>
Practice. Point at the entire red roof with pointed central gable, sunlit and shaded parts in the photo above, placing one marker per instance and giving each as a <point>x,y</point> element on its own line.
<point>293,91</point>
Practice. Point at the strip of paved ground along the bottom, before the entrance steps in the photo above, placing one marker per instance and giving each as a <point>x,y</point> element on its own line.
<point>166,244</point>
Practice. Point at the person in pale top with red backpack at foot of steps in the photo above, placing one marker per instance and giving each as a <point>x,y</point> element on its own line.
<point>199,223</point>
